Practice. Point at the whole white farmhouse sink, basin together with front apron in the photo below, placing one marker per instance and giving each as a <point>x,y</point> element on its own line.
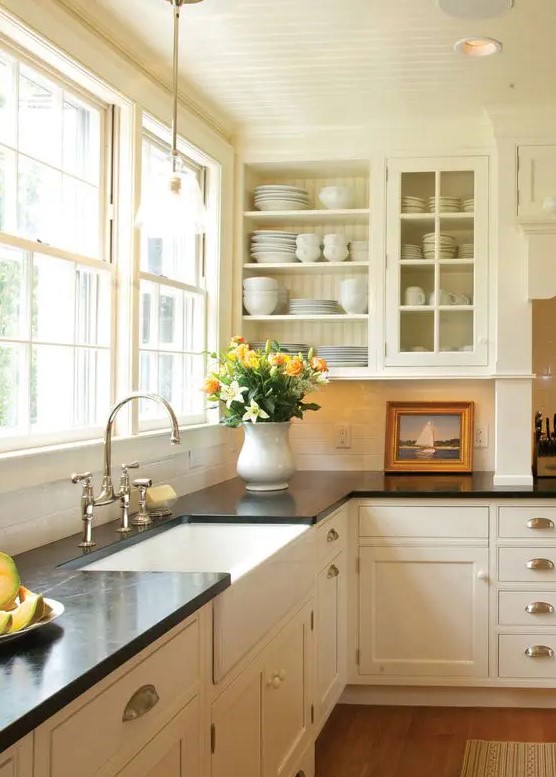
<point>271,566</point>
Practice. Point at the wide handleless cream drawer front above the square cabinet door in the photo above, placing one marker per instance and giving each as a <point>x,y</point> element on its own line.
<point>423,521</point>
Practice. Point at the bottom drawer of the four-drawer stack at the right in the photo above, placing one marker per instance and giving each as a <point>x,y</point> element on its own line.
<point>513,660</point>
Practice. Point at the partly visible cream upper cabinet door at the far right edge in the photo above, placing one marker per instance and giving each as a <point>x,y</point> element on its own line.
<point>536,179</point>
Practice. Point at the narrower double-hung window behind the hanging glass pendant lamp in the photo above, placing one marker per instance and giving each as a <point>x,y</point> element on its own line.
<point>172,303</point>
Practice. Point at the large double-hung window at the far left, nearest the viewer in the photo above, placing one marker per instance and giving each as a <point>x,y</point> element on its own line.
<point>56,280</point>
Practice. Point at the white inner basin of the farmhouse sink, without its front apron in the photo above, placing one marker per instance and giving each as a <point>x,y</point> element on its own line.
<point>203,547</point>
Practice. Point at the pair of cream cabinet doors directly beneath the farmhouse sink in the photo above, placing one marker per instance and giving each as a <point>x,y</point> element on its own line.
<point>261,723</point>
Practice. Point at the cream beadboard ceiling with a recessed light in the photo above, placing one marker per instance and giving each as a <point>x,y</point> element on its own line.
<point>304,63</point>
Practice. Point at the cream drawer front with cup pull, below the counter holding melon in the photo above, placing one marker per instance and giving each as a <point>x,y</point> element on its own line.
<point>84,736</point>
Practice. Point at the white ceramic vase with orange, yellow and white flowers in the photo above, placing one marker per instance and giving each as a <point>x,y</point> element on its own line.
<point>263,390</point>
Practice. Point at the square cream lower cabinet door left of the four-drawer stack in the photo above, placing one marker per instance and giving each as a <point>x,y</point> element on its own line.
<point>423,611</point>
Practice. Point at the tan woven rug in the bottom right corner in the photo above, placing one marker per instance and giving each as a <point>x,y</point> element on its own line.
<point>509,759</point>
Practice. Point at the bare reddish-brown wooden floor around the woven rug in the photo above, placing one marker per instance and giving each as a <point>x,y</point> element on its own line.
<point>366,741</point>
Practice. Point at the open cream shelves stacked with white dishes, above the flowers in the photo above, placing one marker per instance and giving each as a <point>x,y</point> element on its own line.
<point>312,309</point>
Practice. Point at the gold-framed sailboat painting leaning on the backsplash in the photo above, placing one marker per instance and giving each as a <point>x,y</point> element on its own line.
<point>429,437</point>
